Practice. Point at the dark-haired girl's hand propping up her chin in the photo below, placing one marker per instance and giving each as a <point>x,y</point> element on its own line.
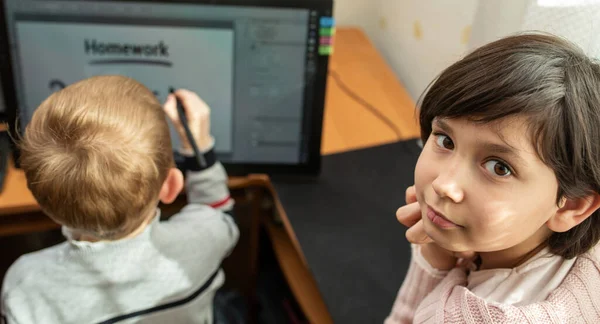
<point>410,216</point>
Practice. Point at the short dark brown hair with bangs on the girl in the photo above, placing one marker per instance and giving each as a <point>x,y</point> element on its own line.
<point>556,86</point>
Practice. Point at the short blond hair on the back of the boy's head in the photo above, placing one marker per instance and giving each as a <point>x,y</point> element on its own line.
<point>96,153</point>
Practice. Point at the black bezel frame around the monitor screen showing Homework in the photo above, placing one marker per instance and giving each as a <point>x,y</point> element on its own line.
<point>313,115</point>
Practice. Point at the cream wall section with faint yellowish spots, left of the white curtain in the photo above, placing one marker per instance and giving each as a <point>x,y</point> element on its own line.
<point>420,38</point>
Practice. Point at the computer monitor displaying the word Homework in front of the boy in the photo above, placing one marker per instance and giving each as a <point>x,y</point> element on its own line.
<point>260,65</point>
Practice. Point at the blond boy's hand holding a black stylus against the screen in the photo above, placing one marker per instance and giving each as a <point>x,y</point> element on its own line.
<point>198,117</point>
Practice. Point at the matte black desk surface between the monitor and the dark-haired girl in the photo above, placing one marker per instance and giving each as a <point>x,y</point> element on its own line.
<point>346,226</point>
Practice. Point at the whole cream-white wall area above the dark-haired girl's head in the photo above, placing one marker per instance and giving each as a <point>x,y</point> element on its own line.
<point>419,38</point>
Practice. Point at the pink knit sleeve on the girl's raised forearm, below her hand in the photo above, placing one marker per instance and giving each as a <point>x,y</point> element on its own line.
<point>421,279</point>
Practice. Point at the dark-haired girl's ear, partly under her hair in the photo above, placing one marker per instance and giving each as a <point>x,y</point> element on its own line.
<point>571,212</point>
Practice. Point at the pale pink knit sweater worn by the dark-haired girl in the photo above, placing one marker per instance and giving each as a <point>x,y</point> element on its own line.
<point>431,298</point>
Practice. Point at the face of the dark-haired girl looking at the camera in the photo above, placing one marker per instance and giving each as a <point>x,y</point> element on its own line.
<point>482,187</point>
